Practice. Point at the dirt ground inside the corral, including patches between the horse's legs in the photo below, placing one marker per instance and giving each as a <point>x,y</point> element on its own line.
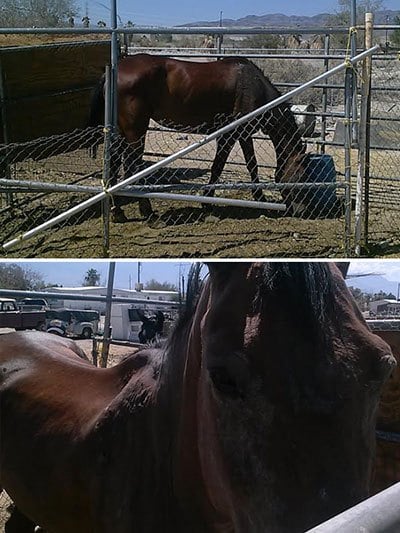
<point>178,229</point>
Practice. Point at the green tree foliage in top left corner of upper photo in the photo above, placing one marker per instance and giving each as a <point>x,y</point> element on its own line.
<point>38,13</point>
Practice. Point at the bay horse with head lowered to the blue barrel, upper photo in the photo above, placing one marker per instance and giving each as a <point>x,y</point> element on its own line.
<point>202,97</point>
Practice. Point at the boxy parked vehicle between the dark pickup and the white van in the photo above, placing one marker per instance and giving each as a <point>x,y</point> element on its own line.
<point>72,322</point>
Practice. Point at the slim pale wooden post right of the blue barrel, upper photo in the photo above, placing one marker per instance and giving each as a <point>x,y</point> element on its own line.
<point>364,141</point>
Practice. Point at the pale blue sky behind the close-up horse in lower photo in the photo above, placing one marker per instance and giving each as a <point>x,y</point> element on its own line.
<point>382,274</point>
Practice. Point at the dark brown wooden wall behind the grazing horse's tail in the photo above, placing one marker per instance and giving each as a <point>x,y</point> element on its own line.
<point>45,90</point>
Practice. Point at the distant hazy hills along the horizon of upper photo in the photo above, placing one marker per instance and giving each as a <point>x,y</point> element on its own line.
<point>288,21</point>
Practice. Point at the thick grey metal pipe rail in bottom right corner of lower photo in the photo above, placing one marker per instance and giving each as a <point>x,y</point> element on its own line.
<point>378,514</point>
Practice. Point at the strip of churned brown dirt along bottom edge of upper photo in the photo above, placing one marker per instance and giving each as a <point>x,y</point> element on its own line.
<point>185,231</point>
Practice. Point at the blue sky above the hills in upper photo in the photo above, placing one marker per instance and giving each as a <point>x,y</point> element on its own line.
<point>174,12</point>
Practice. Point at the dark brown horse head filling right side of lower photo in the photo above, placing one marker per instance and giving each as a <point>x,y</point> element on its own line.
<point>290,378</point>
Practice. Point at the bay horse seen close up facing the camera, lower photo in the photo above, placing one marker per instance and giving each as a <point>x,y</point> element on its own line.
<point>258,414</point>
